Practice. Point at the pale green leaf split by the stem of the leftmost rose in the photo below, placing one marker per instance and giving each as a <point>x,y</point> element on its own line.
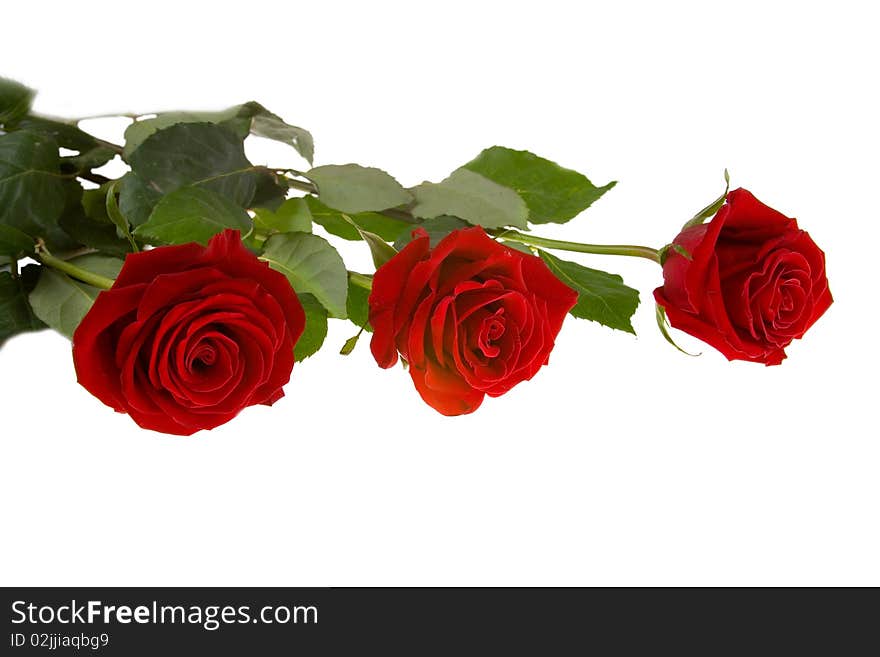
<point>62,302</point>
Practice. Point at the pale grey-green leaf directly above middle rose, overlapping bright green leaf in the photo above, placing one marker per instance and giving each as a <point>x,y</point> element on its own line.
<point>472,197</point>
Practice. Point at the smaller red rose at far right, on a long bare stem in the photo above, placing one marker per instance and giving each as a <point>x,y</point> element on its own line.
<point>754,282</point>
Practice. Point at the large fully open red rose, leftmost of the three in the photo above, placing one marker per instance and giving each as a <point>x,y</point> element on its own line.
<point>188,336</point>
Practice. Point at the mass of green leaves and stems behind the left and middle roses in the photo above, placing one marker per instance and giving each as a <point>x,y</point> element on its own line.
<point>189,178</point>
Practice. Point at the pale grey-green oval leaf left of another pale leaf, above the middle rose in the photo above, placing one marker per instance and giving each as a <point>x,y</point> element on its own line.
<point>352,188</point>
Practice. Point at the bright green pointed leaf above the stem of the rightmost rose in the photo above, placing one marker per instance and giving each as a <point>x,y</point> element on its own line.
<point>553,194</point>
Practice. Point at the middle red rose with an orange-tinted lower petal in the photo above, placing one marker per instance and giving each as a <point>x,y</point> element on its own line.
<point>471,316</point>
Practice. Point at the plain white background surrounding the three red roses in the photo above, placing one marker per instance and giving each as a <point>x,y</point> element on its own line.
<point>623,462</point>
